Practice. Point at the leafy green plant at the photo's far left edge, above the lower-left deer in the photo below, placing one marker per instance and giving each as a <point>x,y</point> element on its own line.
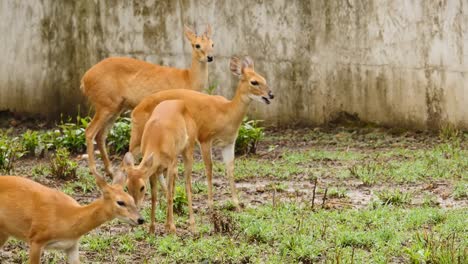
<point>11,150</point>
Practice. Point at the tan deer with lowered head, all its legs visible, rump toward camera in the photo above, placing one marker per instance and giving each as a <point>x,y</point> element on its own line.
<point>170,131</point>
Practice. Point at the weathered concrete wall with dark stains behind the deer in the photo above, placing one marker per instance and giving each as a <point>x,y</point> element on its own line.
<point>393,62</point>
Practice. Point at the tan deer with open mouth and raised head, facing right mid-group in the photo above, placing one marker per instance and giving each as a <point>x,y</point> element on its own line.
<point>217,119</point>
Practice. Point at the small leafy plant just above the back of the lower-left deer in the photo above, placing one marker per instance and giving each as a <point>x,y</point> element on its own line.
<point>61,166</point>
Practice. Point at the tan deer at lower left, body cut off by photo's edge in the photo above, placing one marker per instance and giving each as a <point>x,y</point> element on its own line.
<point>49,219</point>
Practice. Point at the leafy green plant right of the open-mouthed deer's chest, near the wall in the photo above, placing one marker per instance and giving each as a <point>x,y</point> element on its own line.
<point>250,133</point>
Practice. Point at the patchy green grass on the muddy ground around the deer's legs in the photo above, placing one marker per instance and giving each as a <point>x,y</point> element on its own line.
<point>396,226</point>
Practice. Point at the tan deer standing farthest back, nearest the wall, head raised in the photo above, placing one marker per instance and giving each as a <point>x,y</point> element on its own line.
<point>118,84</point>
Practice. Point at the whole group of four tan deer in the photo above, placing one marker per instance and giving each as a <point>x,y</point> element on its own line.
<point>170,114</point>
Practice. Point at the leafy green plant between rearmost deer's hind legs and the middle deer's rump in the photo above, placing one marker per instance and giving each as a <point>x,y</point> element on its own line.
<point>119,136</point>
